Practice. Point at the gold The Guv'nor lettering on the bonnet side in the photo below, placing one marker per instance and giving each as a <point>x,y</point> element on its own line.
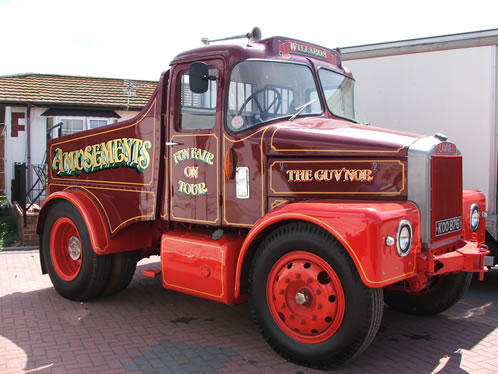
<point>330,175</point>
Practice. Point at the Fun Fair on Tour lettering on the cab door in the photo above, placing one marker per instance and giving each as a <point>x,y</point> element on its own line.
<point>192,172</point>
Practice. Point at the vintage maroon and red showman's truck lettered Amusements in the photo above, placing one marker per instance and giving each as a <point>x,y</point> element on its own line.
<point>250,177</point>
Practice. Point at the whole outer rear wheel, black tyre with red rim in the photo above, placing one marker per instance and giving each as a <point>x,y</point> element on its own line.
<point>77,273</point>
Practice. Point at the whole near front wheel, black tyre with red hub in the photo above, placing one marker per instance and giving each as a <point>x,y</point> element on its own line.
<point>308,299</point>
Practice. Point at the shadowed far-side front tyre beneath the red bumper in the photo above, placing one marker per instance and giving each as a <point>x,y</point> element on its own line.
<point>443,292</point>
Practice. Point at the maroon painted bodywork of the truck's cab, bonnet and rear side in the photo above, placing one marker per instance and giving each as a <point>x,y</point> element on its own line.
<point>197,192</point>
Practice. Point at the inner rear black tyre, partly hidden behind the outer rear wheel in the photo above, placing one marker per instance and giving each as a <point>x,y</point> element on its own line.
<point>122,271</point>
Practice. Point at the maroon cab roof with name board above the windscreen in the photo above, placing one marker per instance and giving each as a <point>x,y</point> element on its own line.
<point>276,47</point>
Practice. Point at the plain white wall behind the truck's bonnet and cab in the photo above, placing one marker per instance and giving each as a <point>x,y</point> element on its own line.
<point>451,92</point>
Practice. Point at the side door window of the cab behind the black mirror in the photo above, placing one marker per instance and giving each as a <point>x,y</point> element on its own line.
<point>198,111</point>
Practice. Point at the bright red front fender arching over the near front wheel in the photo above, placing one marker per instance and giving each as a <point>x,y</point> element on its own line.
<point>360,226</point>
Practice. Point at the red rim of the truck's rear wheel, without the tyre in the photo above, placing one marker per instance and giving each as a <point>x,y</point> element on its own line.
<point>65,249</point>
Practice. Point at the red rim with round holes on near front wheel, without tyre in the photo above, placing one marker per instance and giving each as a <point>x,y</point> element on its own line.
<point>305,297</point>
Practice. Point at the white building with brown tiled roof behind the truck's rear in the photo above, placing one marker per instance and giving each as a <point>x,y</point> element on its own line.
<point>32,104</point>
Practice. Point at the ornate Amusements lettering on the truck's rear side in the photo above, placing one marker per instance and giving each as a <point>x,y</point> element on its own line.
<point>128,152</point>
